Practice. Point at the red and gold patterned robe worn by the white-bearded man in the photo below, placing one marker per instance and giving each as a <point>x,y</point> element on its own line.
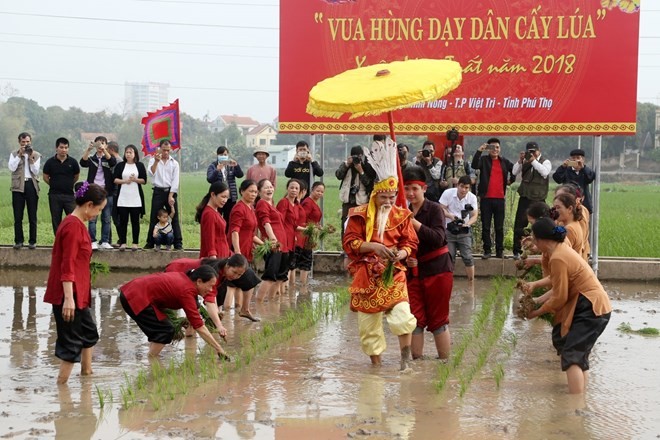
<point>368,295</point>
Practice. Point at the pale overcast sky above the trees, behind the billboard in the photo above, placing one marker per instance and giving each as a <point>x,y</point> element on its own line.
<point>219,56</point>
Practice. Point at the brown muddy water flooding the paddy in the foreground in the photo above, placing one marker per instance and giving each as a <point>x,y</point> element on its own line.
<point>320,384</point>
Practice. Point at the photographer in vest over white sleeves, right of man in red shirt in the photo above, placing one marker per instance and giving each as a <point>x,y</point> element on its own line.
<point>533,188</point>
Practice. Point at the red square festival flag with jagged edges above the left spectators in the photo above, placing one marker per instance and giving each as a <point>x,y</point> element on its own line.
<point>159,125</point>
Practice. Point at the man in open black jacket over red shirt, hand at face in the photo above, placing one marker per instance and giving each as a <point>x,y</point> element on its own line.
<point>495,174</point>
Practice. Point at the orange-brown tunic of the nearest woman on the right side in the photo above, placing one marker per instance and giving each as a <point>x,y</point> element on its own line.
<point>572,276</point>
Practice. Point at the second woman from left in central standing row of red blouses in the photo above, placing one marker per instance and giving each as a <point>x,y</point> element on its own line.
<point>242,230</point>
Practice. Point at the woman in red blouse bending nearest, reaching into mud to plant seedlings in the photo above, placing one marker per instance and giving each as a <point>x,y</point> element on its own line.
<point>145,298</point>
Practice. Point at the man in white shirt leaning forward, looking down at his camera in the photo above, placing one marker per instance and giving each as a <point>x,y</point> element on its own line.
<point>461,212</point>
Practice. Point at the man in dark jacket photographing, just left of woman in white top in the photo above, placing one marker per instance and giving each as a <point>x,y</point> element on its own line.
<point>100,172</point>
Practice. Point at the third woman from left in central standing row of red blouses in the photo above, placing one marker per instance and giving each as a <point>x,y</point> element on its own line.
<point>271,226</point>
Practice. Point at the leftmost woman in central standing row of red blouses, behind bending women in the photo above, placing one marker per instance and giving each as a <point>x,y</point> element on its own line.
<point>213,238</point>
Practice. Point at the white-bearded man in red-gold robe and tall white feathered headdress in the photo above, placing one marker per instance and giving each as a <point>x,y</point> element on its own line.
<point>377,235</point>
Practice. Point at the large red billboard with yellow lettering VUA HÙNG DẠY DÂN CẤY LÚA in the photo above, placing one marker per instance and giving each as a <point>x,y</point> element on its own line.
<point>529,67</point>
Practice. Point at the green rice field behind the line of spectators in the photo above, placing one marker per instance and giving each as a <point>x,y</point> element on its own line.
<point>629,219</point>
